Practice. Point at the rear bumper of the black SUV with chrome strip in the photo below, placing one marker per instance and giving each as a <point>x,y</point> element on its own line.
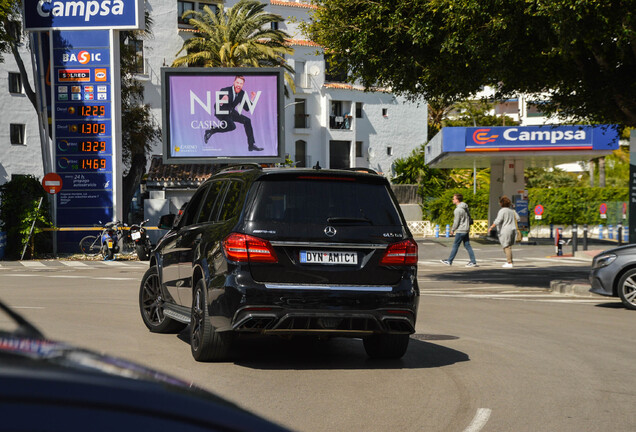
<point>348,311</point>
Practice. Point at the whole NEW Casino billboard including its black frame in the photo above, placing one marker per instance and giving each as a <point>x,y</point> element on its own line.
<point>222,115</point>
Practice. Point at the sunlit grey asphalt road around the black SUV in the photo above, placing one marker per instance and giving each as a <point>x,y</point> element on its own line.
<point>495,350</point>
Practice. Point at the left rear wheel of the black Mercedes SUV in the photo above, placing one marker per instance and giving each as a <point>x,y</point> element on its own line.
<point>205,343</point>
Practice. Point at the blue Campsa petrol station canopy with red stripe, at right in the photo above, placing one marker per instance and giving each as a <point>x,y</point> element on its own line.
<point>536,146</point>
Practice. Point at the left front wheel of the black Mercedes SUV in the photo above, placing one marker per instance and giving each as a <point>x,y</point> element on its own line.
<point>151,305</point>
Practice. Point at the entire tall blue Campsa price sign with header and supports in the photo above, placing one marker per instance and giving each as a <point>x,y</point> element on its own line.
<point>81,60</point>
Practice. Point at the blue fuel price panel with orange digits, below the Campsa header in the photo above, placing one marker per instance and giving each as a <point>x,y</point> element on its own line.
<point>83,129</point>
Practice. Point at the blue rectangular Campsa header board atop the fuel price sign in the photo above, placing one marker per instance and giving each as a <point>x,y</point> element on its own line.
<point>83,14</point>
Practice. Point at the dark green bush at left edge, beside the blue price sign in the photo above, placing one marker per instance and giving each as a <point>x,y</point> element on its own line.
<point>19,200</point>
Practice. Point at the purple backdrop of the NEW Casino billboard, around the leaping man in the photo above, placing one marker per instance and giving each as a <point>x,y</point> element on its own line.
<point>189,117</point>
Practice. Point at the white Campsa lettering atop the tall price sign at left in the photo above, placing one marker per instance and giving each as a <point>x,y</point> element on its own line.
<point>79,8</point>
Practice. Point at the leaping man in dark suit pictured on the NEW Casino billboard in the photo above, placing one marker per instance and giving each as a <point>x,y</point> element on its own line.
<point>229,116</point>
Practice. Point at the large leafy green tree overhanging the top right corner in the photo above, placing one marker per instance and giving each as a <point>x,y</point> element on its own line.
<point>579,54</point>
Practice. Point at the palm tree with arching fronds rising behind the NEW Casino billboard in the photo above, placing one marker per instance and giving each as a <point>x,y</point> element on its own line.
<point>239,37</point>
